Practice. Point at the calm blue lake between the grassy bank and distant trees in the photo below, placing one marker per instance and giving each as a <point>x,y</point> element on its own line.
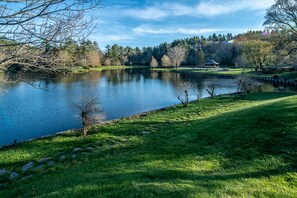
<point>27,112</point>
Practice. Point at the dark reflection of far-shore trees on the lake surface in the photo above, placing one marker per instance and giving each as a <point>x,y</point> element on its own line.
<point>89,81</point>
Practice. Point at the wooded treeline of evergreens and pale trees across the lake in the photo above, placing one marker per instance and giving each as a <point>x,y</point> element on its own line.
<point>254,49</point>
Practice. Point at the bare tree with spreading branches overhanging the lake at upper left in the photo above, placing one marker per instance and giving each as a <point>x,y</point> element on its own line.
<point>29,27</point>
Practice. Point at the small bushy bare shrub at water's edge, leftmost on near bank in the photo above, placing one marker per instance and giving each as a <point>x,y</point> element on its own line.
<point>90,112</point>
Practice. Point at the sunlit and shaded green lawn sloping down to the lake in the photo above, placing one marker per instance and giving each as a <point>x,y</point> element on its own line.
<point>221,147</point>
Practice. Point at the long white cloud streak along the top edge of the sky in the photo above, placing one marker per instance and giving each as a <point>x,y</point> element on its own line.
<point>203,9</point>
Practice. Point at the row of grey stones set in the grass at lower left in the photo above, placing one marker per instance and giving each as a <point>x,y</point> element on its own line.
<point>41,165</point>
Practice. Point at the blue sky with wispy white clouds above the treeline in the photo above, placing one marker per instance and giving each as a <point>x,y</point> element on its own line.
<point>149,23</point>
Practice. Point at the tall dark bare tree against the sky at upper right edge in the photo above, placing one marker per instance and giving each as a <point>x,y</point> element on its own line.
<point>282,17</point>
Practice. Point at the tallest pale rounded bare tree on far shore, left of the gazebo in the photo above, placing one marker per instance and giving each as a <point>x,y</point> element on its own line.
<point>177,55</point>
